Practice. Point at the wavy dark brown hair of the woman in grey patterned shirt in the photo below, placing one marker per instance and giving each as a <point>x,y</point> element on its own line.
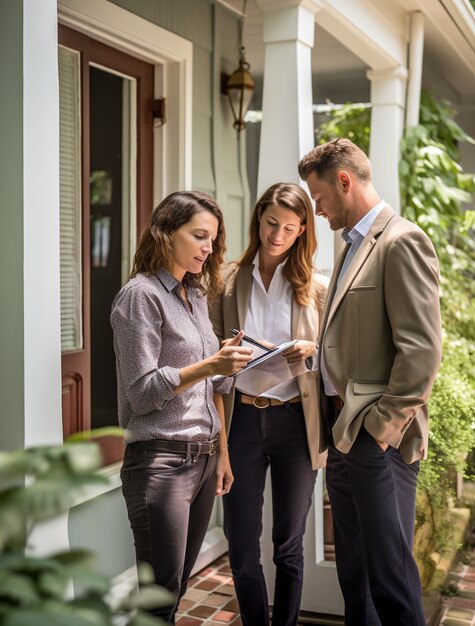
<point>155,249</point>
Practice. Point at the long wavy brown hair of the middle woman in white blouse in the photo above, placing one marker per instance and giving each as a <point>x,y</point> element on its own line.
<point>299,266</point>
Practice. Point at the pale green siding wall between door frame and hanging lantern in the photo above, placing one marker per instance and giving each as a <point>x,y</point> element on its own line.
<point>218,158</point>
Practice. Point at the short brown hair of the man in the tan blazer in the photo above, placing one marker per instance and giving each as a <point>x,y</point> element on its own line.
<point>328,158</point>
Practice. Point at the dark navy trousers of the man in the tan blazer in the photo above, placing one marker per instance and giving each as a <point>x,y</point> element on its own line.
<point>372,495</point>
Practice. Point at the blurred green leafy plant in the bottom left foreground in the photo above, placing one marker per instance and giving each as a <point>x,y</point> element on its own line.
<point>38,484</point>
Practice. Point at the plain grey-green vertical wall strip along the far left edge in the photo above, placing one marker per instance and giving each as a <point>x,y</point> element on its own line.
<point>11,227</point>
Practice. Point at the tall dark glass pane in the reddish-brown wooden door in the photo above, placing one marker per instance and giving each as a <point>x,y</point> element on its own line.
<point>112,205</point>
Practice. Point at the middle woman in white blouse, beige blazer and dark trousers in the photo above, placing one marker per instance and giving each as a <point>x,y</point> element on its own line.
<point>274,294</point>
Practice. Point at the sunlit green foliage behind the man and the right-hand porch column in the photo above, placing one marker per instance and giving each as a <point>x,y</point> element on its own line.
<point>433,188</point>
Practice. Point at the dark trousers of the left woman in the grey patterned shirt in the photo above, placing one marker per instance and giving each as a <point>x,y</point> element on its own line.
<point>169,501</point>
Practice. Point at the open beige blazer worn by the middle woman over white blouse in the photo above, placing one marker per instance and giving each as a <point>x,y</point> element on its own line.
<point>230,311</point>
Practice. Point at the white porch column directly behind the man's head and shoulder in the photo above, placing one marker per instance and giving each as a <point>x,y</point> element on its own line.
<point>388,91</point>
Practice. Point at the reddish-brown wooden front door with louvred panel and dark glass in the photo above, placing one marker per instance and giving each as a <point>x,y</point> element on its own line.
<point>106,169</point>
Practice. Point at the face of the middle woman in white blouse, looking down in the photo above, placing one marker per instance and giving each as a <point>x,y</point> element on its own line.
<point>278,230</point>
